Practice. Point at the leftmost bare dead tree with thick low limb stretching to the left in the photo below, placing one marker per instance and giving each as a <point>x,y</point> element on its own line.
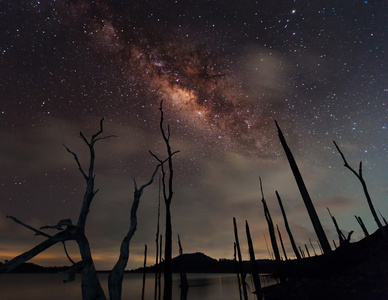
<point>91,287</point>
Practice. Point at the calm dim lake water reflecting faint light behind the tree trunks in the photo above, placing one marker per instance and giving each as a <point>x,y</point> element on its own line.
<point>50,286</point>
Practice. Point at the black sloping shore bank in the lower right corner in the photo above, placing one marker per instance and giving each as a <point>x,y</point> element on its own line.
<point>353,271</point>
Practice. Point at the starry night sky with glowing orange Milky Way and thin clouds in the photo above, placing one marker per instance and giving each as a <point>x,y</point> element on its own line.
<point>225,71</point>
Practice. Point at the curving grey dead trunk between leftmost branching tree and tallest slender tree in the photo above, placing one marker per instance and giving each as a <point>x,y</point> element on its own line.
<point>115,278</point>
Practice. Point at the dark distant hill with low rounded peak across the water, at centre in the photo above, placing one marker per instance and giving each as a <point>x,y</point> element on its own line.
<point>201,263</point>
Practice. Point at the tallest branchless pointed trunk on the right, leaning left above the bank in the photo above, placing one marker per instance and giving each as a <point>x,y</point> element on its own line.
<point>305,195</point>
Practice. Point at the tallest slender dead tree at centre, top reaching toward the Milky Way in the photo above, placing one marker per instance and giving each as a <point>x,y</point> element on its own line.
<point>167,194</point>
